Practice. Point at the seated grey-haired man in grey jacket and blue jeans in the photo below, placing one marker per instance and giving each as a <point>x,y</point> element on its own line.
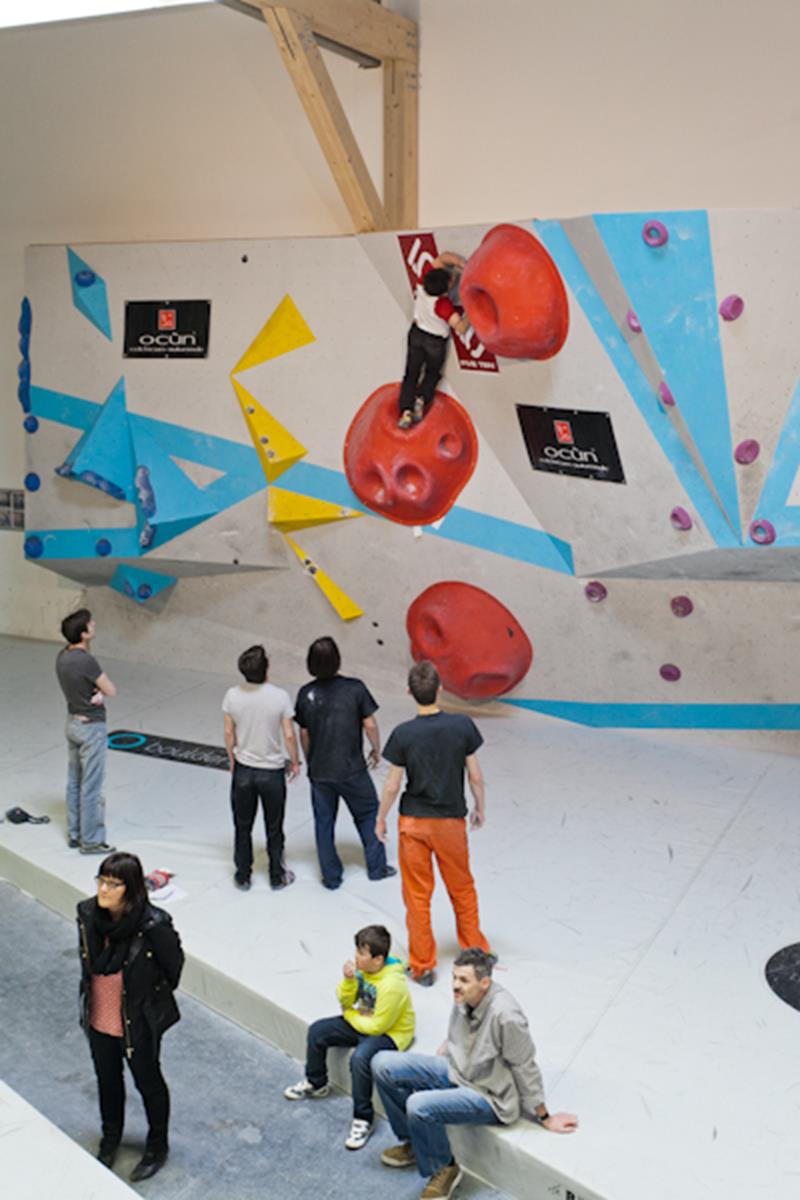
<point>485,1073</point>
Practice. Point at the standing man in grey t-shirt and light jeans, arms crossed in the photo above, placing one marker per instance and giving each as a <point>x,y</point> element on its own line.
<point>86,687</point>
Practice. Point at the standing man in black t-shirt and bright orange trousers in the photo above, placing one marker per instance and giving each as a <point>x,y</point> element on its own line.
<point>434,751</point>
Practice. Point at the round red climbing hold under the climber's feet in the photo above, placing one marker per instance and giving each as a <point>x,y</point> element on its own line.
<point>412,476</point>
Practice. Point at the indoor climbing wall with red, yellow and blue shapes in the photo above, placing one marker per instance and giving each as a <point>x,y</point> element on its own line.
<point>599,518</point>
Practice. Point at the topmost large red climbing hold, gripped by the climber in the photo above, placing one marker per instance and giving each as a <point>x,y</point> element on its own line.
<point>514,296</point>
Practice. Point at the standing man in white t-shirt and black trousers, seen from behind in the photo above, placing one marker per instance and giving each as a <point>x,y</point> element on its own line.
<point>258,725</point>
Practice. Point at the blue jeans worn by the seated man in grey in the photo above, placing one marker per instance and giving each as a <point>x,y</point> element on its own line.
<point>420,1101</point>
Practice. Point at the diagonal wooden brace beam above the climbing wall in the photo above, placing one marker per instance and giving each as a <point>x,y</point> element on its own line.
<point>296,40</point>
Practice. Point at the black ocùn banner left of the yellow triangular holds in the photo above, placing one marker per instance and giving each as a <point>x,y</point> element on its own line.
<point>167,329</point>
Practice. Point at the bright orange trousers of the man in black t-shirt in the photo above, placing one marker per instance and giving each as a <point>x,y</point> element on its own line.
<point>422,841</point>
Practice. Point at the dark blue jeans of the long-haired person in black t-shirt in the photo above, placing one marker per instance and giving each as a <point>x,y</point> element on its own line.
<point>359,794</point>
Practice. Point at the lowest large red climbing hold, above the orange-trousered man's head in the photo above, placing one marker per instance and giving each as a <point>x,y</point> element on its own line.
<point>479,649</point>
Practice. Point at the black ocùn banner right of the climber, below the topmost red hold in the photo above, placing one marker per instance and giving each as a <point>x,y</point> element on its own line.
<point>567,442</point>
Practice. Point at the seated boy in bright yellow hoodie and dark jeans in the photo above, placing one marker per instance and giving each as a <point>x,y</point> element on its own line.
<point>377,1015</point>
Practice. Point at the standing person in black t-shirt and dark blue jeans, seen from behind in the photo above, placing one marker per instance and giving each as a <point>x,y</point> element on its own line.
<point>334,715</point>
